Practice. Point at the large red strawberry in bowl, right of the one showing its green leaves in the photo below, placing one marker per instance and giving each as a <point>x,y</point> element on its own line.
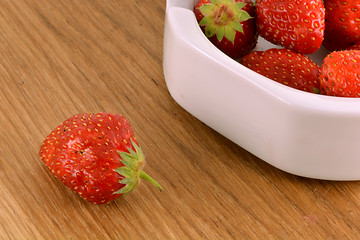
<point>298,24</point>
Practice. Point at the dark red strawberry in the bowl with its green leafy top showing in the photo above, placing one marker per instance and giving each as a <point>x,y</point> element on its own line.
<point>229,25</point>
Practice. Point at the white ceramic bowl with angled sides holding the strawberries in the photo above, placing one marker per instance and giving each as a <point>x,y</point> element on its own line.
<point>301,133</point>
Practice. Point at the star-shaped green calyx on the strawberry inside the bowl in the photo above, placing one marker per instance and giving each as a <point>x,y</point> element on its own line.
<point>223,18</point>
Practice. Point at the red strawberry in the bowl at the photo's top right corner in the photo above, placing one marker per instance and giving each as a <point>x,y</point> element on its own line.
<point>342,24</point>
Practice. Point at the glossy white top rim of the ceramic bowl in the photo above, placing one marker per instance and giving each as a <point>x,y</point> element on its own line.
<point>295,97</point>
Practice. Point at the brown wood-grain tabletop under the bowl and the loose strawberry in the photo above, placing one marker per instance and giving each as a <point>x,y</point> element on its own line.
<point>58,58</point>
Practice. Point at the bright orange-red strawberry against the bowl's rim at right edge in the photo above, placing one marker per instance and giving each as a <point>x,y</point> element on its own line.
<point>340,74</point>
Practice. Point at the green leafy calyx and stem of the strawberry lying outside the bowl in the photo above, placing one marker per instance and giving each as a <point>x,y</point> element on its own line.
<point>132,170</point>
